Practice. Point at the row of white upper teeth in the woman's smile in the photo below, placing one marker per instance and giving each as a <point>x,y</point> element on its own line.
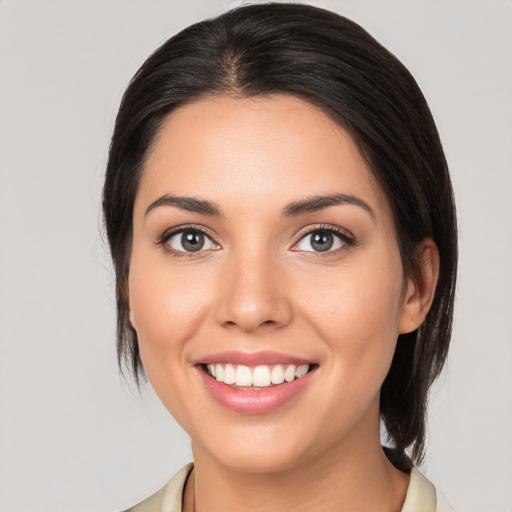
<point>259,376</point>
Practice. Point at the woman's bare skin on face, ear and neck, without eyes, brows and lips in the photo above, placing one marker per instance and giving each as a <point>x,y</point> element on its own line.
<point>260,286</point>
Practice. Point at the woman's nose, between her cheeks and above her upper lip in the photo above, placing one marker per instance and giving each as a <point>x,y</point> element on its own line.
<point>253,294</point>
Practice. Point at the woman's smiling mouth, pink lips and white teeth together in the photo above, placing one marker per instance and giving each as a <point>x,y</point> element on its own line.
<point>245,385</point>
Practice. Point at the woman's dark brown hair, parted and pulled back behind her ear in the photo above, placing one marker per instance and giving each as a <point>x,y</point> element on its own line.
<point>337,66</point>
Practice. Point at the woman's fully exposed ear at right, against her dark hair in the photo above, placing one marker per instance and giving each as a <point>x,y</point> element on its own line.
<point>421,288</point>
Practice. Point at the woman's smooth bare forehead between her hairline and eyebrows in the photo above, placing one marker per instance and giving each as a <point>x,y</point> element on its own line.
<point>255,151</point>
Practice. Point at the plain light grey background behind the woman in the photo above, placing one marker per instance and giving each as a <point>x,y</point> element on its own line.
<point>73,435</point>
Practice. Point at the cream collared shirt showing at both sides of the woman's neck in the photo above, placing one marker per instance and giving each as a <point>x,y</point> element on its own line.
<point>421,495</point>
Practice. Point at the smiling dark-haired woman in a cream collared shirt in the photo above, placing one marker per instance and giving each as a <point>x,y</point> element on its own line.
<point>282,225</point>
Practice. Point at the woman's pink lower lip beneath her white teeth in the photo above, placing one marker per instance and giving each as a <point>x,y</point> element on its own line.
<point>254,401</point>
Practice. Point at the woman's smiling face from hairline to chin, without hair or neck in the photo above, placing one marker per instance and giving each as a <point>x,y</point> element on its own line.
<point>263,248</point>
